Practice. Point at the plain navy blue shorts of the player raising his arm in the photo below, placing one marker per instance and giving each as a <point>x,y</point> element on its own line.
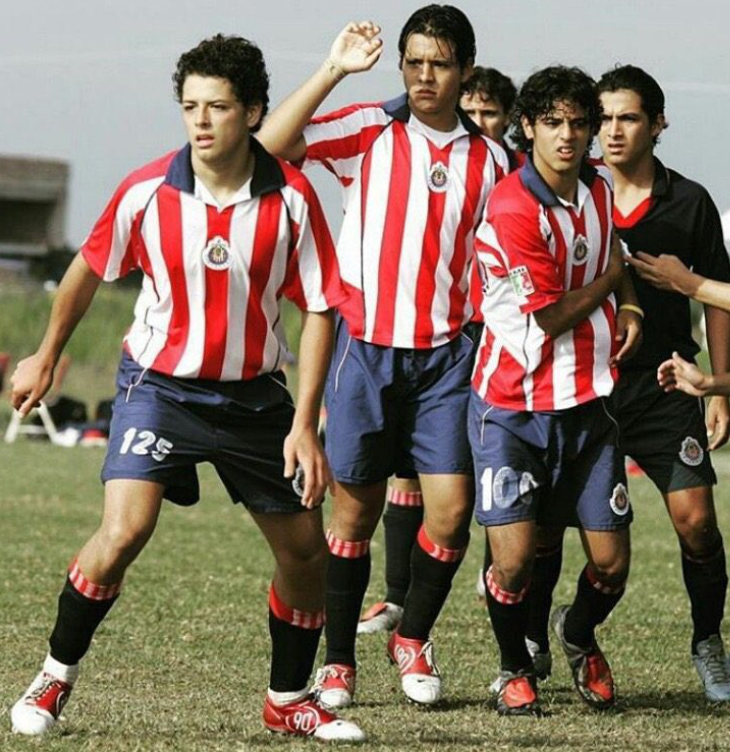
<point>397,410</point>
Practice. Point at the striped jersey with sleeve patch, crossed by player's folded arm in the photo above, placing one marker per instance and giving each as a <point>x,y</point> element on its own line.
<point>532,248</point>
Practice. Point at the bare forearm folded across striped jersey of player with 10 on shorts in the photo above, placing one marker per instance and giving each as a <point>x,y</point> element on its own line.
<point>577,305</point>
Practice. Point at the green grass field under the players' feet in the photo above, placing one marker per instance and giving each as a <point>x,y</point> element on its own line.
<point>181,663</point>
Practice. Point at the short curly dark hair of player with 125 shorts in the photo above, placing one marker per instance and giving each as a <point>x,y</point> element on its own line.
<point>234,58</point>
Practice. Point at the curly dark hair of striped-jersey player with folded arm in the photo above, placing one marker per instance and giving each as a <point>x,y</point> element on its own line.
<point>549,87</point>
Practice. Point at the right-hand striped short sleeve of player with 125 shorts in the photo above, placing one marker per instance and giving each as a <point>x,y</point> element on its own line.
<point>312,280</point>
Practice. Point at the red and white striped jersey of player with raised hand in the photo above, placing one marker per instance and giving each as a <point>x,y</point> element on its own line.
<point>411,209</point>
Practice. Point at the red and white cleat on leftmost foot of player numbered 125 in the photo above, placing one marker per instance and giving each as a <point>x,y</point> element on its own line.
<point>39,709</point>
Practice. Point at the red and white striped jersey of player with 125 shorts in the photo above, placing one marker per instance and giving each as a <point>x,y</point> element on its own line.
<point>213,277</point>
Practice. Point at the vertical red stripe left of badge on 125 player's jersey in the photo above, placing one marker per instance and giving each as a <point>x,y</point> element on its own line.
<point>171,242</point>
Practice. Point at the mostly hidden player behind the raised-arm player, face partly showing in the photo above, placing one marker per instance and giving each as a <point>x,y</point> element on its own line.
<point>487,98</point>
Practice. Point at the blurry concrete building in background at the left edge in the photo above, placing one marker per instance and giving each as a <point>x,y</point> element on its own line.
<point>33,194</point>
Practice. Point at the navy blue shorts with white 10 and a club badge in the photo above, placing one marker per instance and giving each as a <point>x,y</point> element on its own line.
<point>560,468</point>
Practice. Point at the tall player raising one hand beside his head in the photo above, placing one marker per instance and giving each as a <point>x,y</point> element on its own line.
<point>415,173</point>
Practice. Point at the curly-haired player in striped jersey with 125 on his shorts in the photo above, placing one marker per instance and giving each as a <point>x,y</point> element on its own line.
<point>220,231</point>
